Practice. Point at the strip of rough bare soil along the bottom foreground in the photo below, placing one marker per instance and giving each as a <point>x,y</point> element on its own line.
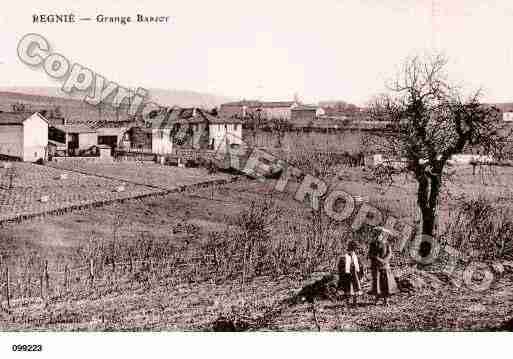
<point>166,304</point>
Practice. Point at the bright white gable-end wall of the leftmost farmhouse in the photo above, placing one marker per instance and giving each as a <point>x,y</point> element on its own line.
<point>35,138</point>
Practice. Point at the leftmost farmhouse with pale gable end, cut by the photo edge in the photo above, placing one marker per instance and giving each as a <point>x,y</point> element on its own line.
<point>23,136</point>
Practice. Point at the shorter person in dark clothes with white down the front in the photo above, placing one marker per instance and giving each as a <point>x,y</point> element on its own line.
<point>350,271</point>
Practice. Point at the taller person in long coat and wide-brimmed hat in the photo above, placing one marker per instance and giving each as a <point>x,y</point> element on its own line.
<point>383,281</point>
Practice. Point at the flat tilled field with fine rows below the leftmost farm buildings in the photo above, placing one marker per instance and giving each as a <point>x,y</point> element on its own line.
<point>86,183</point>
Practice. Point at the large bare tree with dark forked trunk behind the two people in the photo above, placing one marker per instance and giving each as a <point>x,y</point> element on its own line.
<point>430,121</point>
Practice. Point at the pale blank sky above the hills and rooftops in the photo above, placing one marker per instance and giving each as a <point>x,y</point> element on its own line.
<point>322,50</point>
